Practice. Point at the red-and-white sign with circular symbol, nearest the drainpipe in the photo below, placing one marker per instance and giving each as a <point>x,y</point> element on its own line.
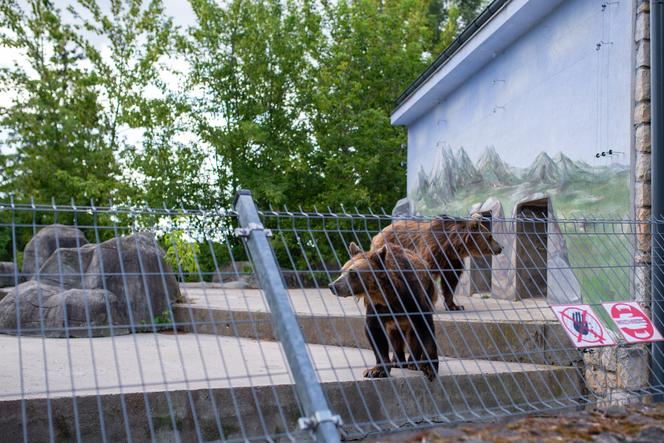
<point>633,323</point>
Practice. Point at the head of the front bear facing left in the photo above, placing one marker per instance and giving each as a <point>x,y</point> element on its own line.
<point>359,275</point>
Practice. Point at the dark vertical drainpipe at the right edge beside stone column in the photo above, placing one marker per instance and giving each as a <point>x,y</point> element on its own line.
<point>657,159</point>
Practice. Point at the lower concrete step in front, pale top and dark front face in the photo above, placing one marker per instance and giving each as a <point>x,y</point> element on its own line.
<point>151,386</point>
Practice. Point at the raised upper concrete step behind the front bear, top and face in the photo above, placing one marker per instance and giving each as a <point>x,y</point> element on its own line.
<point>487,329</point>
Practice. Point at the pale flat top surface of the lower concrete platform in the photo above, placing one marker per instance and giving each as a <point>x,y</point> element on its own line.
<point>33,367</point>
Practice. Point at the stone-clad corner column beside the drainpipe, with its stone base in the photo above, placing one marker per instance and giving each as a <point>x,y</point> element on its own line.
<point>610,371</point>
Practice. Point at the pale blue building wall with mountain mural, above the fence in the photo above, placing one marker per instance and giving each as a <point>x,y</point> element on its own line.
<point>533,119</point>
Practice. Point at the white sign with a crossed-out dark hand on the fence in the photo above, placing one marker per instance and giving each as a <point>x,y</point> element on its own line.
<point>582,326</point>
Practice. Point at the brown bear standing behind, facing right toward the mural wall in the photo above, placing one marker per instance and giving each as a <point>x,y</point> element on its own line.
<point>443,243</point>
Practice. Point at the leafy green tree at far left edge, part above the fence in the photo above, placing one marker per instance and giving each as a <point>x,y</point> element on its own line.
<point>54,131</point>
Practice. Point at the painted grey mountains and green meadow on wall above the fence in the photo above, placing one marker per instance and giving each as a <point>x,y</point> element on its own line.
<point>454,183</point>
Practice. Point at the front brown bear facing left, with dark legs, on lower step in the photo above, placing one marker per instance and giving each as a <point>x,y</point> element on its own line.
<point>397,293</point>
